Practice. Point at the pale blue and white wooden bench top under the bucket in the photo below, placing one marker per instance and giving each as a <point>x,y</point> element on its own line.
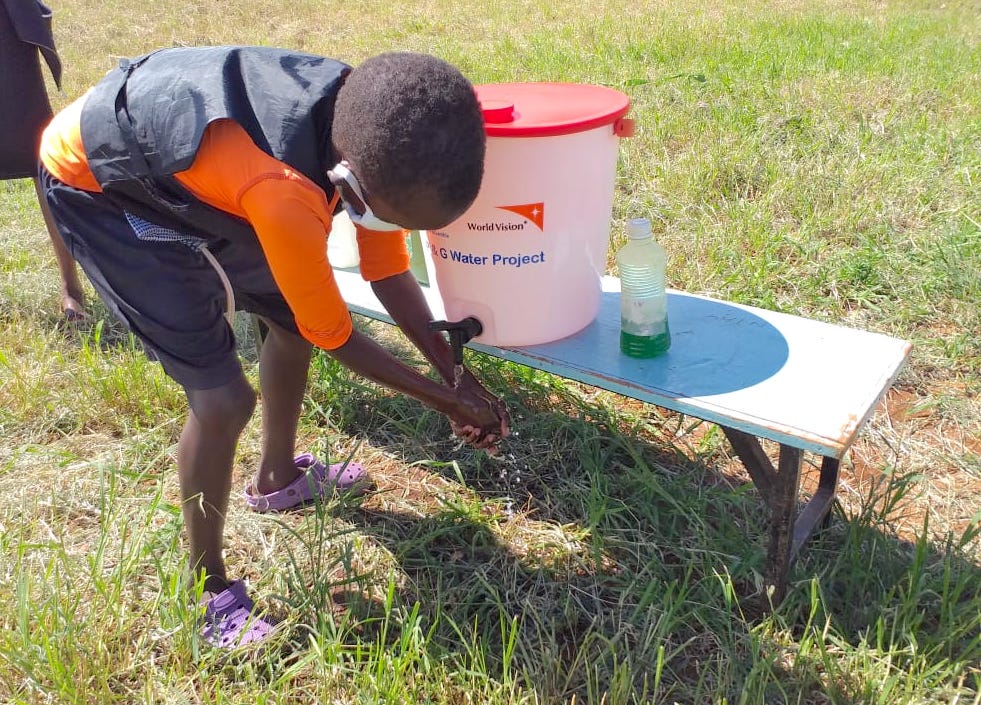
<point>804,383</point>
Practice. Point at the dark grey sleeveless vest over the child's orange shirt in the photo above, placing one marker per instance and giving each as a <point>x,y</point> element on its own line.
<point>144,122</point>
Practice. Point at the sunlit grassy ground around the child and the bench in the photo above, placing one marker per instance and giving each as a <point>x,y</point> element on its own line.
<point>818,158</point>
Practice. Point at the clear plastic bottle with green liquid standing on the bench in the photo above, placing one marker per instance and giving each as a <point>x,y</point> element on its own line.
<point>643,300</point>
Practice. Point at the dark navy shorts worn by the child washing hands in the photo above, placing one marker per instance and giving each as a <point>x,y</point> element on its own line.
<point>167,293</point>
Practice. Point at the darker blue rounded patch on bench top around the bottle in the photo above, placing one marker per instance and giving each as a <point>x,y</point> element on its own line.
<point>716,348</point>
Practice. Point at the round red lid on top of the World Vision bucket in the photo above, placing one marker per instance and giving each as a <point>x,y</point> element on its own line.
<point>545,109</point>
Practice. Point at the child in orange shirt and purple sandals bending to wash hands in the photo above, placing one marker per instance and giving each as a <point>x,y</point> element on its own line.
<point>193,173</point>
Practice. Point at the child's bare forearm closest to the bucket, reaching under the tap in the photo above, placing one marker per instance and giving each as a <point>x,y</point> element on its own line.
<point>404,300</point>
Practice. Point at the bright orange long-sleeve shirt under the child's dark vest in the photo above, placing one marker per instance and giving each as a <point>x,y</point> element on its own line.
<point>289,213</point>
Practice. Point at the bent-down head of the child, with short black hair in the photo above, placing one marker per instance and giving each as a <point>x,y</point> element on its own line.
<point>411,129</point>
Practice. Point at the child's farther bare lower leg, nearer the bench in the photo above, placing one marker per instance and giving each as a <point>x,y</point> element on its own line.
<point>283,365</point>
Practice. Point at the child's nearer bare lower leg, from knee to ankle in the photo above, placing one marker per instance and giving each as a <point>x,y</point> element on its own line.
<point>205,455</point>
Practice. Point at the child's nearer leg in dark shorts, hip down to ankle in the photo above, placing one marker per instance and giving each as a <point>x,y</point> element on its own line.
<point>172,300</point>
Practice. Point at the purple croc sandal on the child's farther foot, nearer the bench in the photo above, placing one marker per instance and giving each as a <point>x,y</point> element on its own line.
<point>315,481</point>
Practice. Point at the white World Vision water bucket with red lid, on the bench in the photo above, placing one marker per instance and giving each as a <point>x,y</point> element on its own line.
<point>527,257</point>
